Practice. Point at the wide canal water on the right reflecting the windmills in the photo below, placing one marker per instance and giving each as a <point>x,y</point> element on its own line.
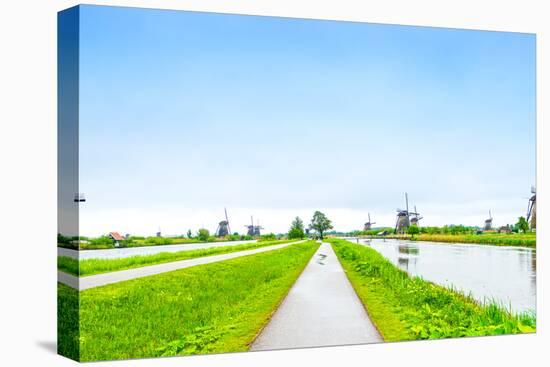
<point>506,275</point>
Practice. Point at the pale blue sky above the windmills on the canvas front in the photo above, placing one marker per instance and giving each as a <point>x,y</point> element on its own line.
<point>185,113</point>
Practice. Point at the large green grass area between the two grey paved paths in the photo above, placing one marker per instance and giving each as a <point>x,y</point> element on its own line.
<point>212,308</point>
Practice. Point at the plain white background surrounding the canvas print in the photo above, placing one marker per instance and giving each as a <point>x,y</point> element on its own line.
<point>28,180</point>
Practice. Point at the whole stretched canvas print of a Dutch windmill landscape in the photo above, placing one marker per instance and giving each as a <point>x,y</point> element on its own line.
<point>232,183</point>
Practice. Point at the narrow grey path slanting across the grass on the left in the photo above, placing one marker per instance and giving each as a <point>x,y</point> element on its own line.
<point>98,280</point>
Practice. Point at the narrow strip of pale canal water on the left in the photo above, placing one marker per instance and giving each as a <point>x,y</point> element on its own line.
<point>116,253</point>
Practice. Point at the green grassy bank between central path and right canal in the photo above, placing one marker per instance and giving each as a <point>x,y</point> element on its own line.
<point>406,308</point>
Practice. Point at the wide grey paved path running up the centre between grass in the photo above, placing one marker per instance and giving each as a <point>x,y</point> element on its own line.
<point>321,309</point>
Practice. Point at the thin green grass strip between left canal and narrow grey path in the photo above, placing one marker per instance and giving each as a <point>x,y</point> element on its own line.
<point>98,266</point>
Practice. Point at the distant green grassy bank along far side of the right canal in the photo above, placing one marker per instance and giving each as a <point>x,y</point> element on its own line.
<point>498,239</point>
